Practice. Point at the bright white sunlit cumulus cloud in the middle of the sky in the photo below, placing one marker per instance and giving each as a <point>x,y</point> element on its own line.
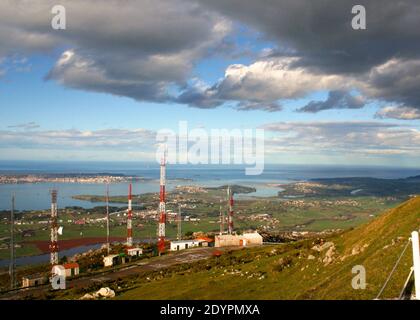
<point>261,84</point>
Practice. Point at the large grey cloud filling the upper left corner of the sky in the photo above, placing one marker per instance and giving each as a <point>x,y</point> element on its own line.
<point>141,50</point>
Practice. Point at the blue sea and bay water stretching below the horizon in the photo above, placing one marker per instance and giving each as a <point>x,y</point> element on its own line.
<point>36,196</point>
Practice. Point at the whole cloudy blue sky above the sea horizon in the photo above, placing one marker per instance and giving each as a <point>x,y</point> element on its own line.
<point>122,70</point>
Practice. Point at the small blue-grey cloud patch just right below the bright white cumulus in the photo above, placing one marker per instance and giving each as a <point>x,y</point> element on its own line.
<point>336,100</point>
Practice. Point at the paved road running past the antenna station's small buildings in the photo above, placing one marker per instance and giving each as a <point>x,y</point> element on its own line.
<point>156,263</point>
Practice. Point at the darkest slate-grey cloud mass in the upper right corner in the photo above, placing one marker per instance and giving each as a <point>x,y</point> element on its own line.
<point>321,32</point>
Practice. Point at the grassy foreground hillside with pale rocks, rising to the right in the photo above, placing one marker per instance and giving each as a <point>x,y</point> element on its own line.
<point>296,270</point>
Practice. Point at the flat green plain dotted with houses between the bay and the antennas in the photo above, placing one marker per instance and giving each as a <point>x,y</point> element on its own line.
<point>313,214</point>
